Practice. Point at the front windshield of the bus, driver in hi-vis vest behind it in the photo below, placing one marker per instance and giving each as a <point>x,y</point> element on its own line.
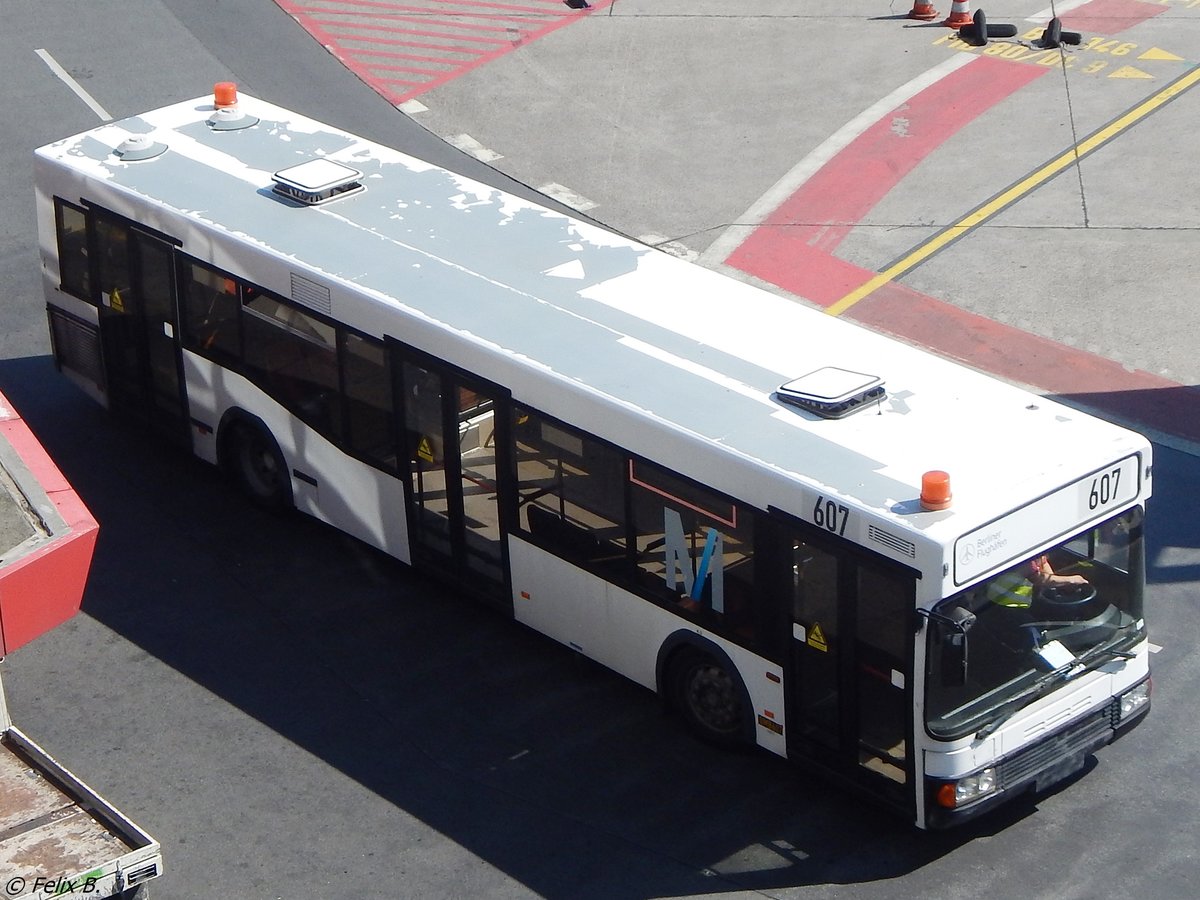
<point>1000,645</point>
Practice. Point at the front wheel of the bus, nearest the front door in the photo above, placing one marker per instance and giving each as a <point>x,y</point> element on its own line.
<point>711,699</point>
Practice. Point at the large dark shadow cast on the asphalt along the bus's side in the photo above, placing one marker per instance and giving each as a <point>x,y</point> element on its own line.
<point>560,775</point>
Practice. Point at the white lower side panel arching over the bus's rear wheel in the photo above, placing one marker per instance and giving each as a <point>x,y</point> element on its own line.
<point>332,487</point>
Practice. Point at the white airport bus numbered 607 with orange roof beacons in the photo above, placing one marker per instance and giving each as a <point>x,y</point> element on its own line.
<point>735,501</point>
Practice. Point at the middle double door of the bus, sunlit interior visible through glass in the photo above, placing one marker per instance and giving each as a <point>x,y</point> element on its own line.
<point>454,493</point>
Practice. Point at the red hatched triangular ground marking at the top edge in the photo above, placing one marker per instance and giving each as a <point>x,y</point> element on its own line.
<point>345,26</point>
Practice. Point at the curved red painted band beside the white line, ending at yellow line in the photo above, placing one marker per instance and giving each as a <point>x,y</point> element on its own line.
<point>795,245</point>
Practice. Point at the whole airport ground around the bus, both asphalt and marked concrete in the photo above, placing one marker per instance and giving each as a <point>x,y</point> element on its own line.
<point>297,717</point>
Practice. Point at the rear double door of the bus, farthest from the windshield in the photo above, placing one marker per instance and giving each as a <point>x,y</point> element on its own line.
<point>136,283</point>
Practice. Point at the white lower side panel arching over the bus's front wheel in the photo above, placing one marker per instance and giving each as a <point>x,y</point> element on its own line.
<point>625,633</point>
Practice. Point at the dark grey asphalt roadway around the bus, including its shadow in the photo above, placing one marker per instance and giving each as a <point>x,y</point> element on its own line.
<point>295,716</point>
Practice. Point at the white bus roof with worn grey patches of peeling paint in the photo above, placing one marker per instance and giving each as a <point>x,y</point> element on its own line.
<point>559,309</point>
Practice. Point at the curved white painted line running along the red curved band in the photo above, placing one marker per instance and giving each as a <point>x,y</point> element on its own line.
<point>733,237</point>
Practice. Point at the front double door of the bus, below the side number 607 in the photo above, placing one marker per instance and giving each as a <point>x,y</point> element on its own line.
<point>850,706</point>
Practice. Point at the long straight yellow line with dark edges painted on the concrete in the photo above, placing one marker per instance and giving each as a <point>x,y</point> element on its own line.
<point>1027,185</point>
